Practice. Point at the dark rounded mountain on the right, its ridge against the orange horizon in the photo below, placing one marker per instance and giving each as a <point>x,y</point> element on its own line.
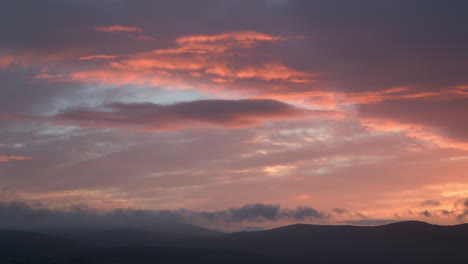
<point>404,242</point>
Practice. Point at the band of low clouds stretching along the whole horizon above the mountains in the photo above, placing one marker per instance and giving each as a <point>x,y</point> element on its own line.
<point>21,215</point>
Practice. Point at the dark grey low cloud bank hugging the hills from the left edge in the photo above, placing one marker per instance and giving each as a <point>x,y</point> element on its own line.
<point>17,214</point>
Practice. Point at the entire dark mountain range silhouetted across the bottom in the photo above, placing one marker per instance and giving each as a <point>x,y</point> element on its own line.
<point>403,242</point>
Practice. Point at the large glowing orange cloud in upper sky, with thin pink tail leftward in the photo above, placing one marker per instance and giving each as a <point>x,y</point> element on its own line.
<point>196,62</point>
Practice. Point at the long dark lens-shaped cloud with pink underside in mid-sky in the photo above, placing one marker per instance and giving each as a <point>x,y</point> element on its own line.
<point>226,113</point>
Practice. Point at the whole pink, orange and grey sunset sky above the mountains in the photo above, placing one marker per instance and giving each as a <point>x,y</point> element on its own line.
<point>234,113</point>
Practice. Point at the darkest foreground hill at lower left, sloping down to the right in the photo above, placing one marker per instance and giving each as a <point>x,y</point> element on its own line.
<point>33,248</point>
